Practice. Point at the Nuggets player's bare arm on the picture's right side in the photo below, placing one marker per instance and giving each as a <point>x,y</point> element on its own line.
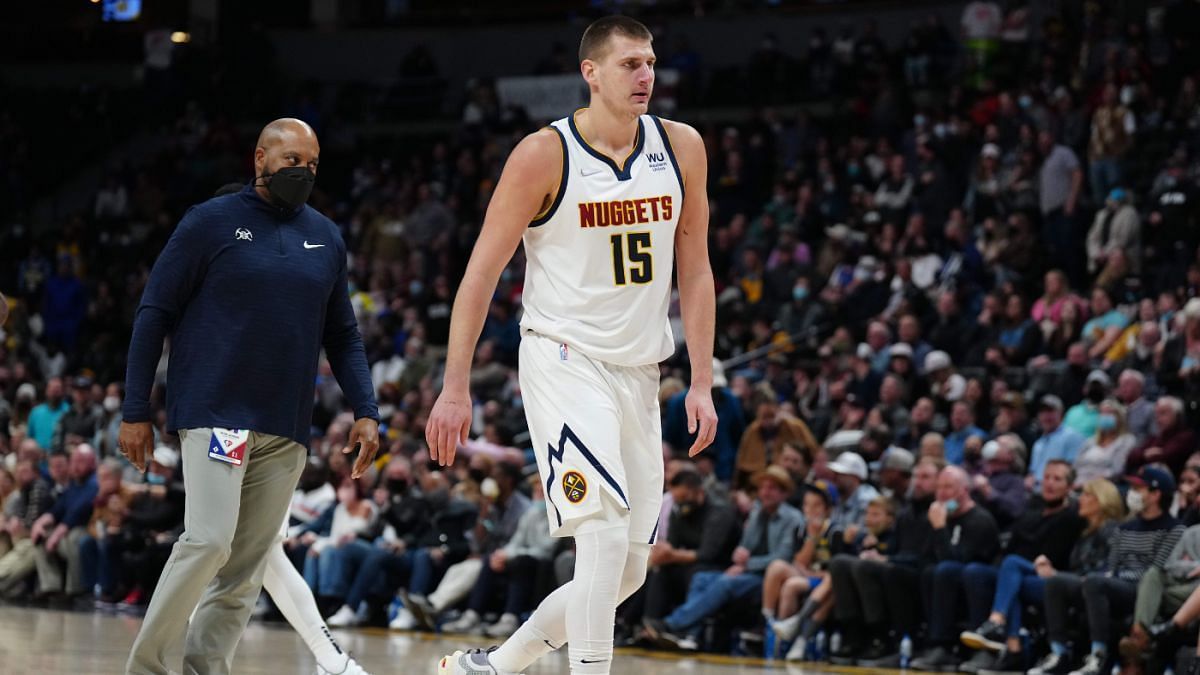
<point>698,297</point>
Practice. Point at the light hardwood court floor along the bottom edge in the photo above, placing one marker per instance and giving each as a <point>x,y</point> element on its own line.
<point>61,643</point>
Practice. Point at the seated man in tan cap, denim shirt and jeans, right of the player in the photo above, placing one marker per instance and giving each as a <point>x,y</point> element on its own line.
<point>770,535</point>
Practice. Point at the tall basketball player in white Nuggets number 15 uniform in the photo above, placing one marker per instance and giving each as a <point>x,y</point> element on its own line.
<point>599,201</point>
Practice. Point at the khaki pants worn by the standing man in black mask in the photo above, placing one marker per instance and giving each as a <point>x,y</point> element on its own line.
<point>232,517</point>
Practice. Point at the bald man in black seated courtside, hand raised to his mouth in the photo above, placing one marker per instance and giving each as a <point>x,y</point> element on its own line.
<point>962,534</point>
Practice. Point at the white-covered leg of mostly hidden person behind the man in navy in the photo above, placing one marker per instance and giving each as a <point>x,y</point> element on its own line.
<point>295,600</point>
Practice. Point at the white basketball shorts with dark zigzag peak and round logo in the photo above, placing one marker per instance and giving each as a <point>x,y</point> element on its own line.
<point>597,434</point>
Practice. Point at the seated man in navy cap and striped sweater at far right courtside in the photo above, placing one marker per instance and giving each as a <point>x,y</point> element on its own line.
<point>1144,542</point>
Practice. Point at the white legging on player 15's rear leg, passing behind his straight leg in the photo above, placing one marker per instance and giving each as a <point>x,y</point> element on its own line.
<point>547,629</point>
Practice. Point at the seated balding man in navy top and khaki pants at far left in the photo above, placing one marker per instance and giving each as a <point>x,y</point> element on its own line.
<point>59,531</point>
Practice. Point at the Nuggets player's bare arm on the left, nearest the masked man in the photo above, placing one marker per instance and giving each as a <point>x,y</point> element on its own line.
<point>529,183</point>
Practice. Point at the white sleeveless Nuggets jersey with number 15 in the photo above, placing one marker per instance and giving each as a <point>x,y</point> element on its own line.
<point>601,259</point>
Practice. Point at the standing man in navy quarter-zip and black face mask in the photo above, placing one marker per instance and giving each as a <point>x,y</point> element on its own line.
<point>250,288</point>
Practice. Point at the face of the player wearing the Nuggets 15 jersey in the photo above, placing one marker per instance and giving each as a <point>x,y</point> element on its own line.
<point>625,76</point>
